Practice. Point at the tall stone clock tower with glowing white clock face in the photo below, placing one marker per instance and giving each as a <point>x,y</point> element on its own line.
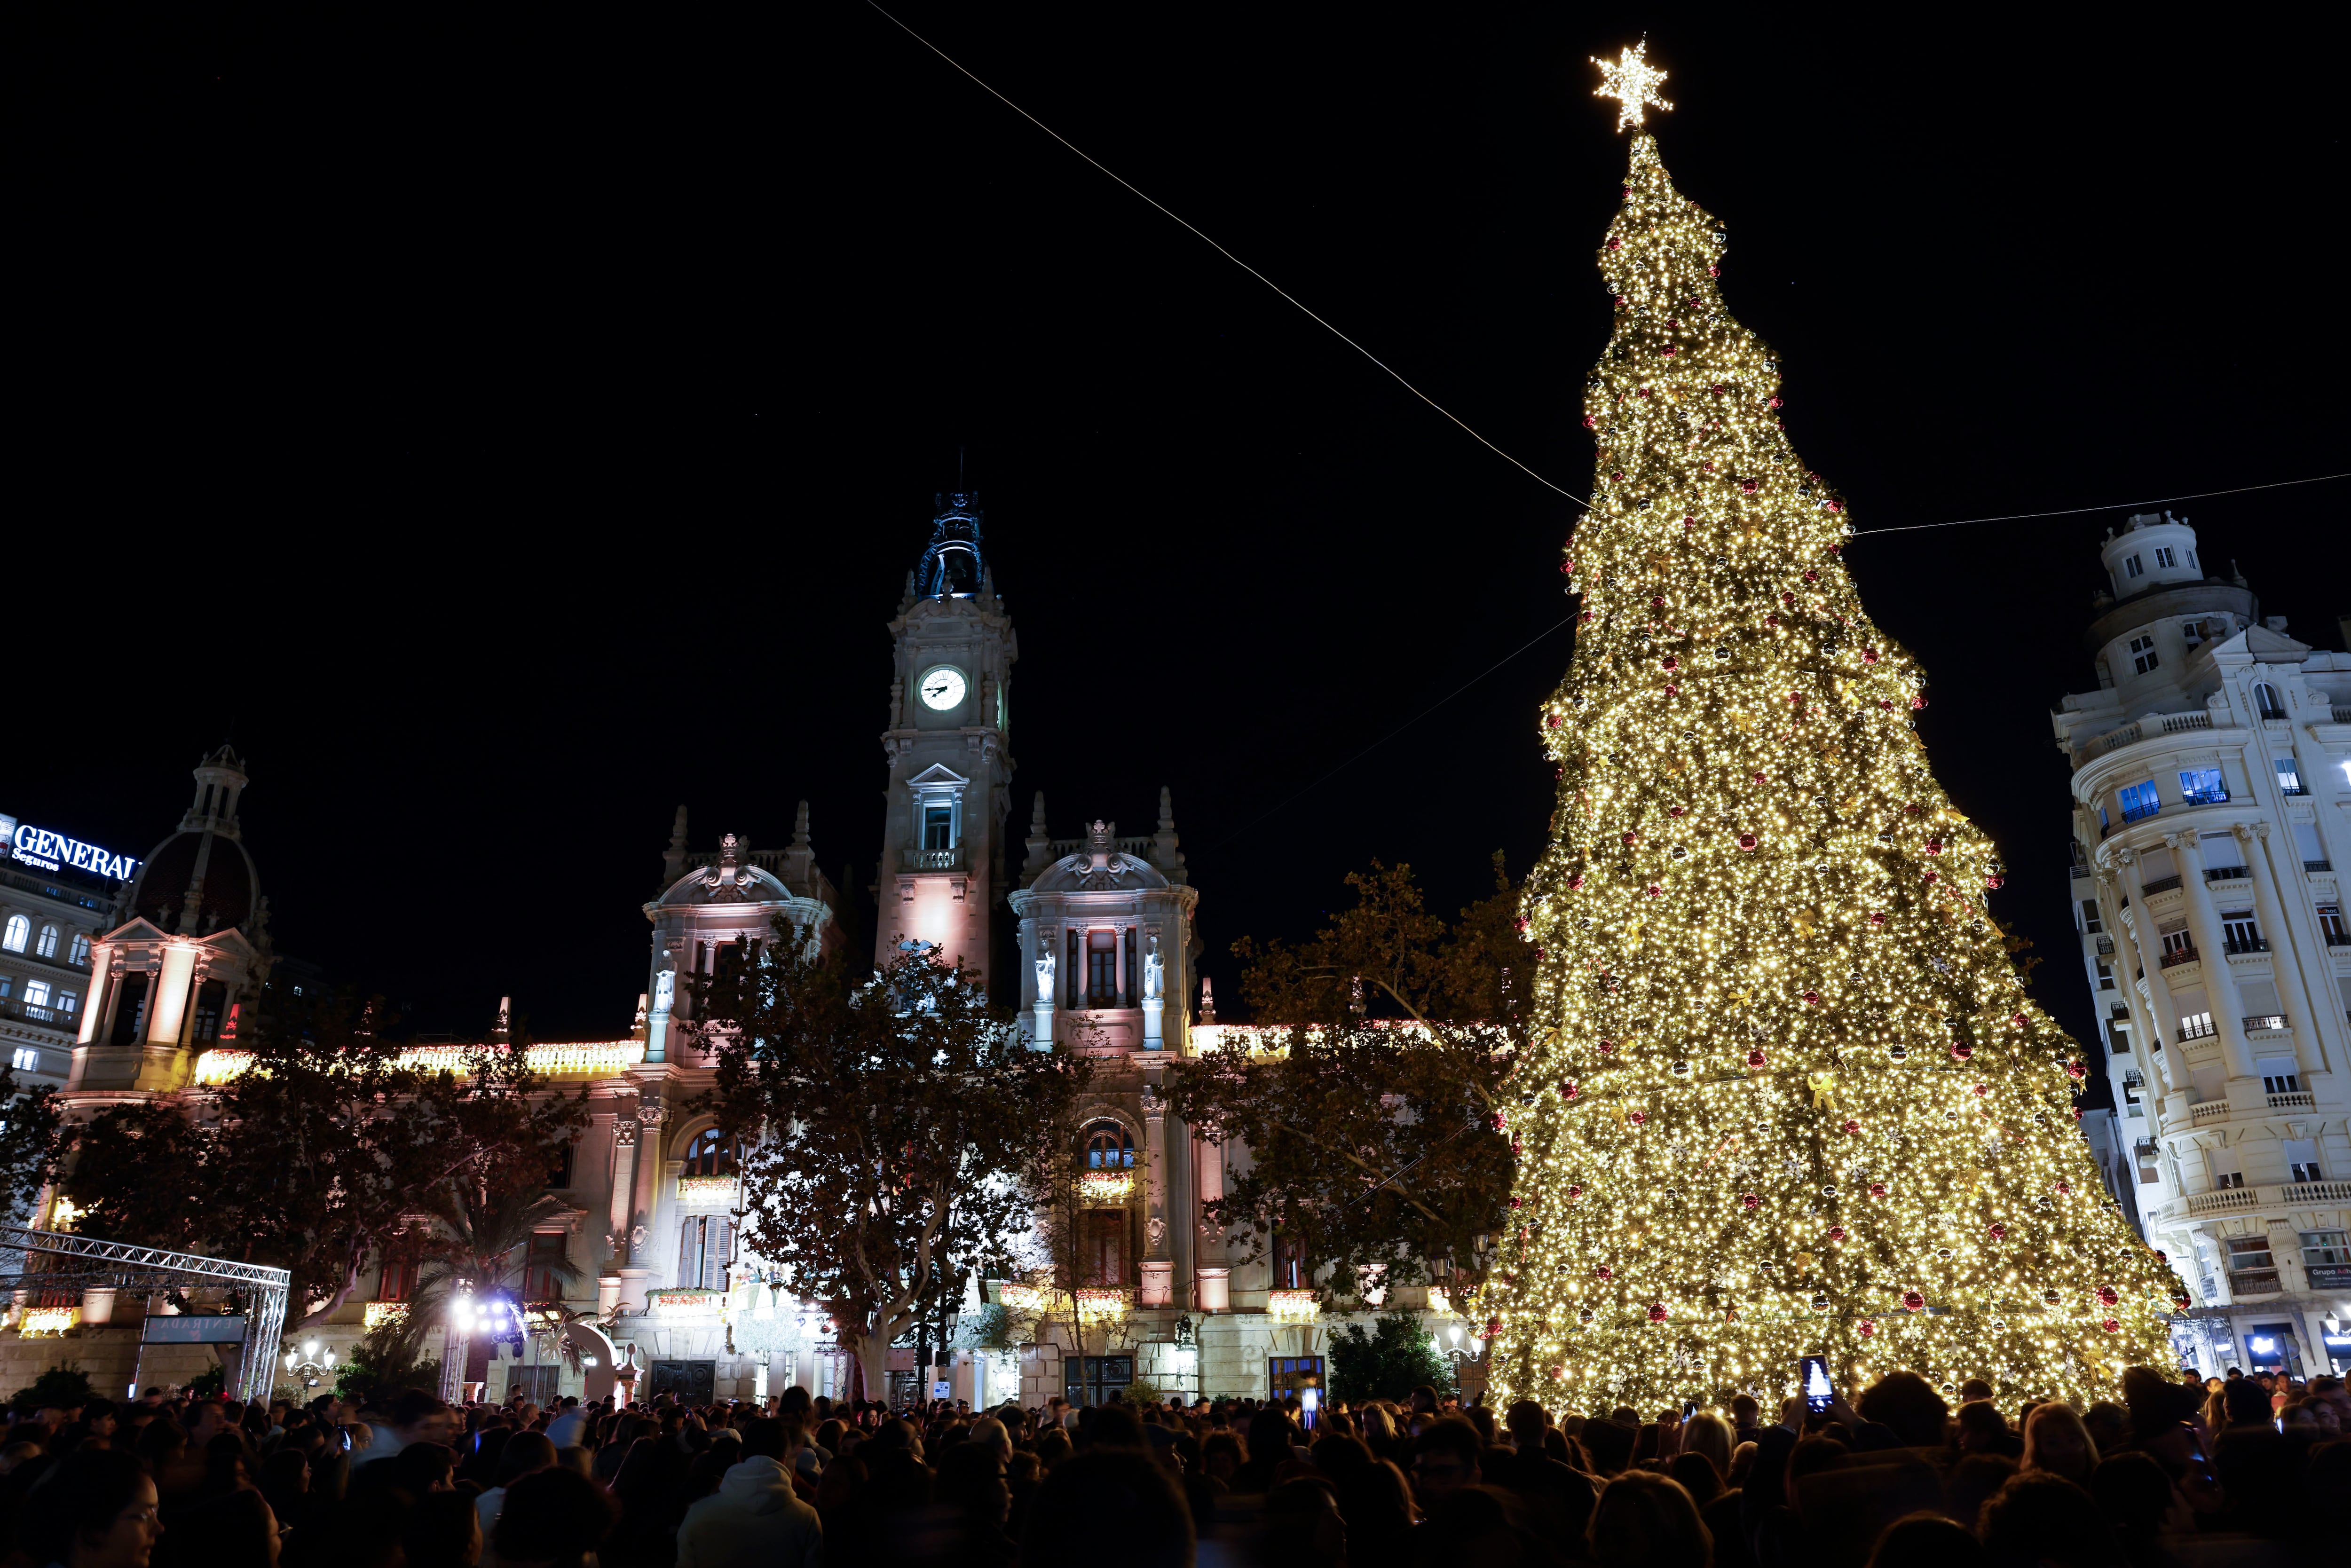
<point>949,758</point>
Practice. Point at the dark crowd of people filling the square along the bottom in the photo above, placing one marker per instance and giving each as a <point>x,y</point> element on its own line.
<point>2176,1475</point>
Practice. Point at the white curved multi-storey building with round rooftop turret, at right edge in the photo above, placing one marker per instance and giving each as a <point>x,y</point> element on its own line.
<point>2211,796</point>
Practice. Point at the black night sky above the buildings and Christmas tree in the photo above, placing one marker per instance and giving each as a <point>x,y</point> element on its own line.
<point>511,436</point>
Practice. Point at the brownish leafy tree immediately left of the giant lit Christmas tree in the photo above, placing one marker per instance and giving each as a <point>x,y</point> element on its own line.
<point>1379,1125</point>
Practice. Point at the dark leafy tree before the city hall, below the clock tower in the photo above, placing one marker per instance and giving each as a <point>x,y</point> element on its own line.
<point>885,1123</point>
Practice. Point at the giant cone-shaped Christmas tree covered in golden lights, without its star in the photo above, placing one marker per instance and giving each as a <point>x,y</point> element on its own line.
<point>1797,1099</point>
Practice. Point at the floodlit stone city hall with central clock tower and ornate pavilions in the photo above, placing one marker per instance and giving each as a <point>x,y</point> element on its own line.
<point>1097,930</point>
